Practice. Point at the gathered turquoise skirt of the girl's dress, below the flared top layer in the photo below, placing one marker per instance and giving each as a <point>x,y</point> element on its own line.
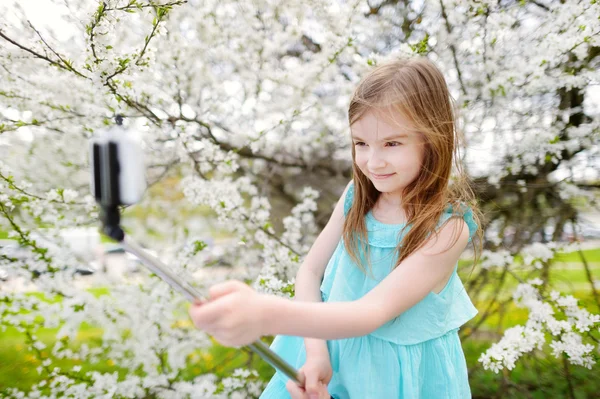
<point>363,368</point>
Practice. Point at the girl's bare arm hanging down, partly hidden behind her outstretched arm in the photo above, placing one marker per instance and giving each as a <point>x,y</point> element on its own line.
<point>310,274</point>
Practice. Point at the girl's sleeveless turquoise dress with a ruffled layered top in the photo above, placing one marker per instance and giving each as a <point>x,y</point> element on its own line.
<point>416,355</point>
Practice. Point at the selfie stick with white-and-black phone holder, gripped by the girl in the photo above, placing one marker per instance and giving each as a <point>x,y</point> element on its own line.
<point>118,178</point>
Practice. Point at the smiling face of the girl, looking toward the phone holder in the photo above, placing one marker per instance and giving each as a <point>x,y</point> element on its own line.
<point>388,151</point>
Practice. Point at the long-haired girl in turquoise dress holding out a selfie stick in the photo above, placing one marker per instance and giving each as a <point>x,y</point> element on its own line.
<point>385,265</point>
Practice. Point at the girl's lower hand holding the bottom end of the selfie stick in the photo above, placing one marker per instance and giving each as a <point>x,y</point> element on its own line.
<point>317,373</point>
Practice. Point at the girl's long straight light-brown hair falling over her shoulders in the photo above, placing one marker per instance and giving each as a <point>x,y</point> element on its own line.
<point>416,88</point>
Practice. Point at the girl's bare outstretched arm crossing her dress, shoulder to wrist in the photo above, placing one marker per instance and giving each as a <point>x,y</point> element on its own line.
<point>403,288</point>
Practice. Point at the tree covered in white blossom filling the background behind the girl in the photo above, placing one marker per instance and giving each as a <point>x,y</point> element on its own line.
<point>242,109</point>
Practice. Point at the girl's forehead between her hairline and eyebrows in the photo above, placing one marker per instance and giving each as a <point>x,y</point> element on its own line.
<point>383,123</point>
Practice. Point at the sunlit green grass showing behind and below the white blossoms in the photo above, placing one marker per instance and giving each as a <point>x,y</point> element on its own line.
<point>18,365</point>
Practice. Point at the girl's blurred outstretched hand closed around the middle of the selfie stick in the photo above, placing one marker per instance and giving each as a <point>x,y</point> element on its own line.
<point>234,316</point>
